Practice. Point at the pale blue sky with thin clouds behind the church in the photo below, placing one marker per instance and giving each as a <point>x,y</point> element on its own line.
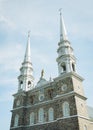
<point>17,17</point>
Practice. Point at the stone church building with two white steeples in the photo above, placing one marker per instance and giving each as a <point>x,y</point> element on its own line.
<point>58,104</point>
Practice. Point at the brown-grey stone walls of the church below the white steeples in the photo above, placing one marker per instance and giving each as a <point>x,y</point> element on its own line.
<point>54,97</point>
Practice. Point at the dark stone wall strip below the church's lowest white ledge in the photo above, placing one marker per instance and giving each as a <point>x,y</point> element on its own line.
<point>61,124</point>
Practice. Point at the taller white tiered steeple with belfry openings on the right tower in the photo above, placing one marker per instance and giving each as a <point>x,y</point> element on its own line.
<point>66,60</point>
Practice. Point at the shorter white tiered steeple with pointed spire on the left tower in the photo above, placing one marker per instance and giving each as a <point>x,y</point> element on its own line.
<point>26,79</point>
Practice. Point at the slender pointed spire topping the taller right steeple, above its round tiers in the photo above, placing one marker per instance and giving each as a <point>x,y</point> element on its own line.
<point>63,32</point>
